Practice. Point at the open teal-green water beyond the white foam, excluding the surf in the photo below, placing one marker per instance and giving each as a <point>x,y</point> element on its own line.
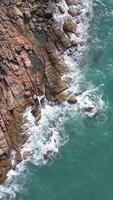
<point>83,170</point>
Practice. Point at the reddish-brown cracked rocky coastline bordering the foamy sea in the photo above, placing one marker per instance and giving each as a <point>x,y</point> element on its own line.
<point>32,67</point>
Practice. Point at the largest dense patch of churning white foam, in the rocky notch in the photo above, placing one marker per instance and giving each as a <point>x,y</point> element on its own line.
<point>44,136</point>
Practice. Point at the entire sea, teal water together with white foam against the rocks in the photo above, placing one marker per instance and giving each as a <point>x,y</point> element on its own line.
<point>81,167</point>
